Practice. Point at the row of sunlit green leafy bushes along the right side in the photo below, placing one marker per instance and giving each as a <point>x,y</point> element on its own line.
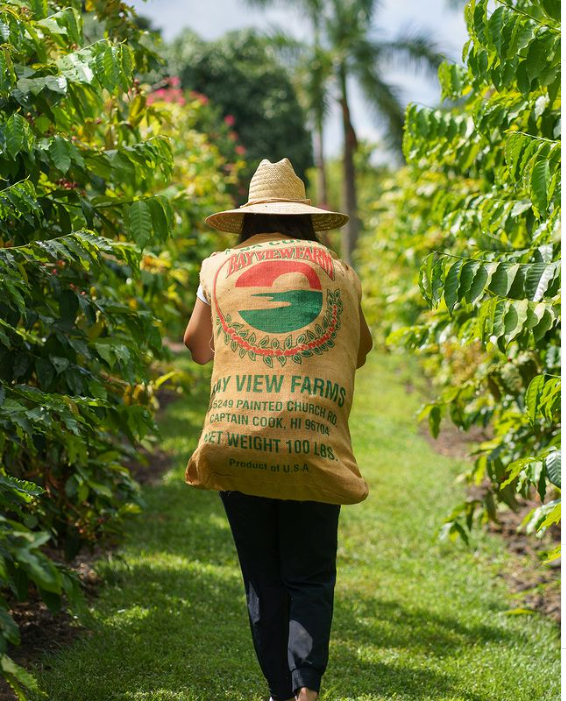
<point>471,226</point>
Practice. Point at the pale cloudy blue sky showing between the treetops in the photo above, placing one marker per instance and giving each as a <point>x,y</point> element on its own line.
<point>213,18</point>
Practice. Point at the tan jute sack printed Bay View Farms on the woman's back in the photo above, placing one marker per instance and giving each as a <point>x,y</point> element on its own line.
<point>286,331</point>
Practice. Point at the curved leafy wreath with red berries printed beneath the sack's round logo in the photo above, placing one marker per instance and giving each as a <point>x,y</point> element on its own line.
<point>268,347</point>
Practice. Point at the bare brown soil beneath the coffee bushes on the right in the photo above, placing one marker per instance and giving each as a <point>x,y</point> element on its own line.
<point>535,586</point>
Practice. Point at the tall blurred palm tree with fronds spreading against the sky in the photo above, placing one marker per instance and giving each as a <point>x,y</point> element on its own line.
<point>346,31</point>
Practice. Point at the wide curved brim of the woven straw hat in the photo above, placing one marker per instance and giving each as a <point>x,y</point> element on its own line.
<point>231,220</point>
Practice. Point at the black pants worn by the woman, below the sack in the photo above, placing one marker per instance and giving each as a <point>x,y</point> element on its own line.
<point>287,553</point>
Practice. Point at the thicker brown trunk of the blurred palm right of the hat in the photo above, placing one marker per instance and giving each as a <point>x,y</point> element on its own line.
<point>351,230</point>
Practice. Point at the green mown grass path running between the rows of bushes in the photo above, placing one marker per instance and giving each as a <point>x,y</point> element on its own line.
<point>414,619</point>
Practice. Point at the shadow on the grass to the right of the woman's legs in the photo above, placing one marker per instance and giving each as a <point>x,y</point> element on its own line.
<point>365,628</point>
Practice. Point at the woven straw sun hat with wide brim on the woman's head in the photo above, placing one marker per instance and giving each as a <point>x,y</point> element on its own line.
<point>276,189</point>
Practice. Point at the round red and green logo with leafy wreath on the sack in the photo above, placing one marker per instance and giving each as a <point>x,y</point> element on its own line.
<point>281,310</point>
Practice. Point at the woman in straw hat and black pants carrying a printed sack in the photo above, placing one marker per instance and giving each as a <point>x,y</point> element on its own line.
<point>280,314</point>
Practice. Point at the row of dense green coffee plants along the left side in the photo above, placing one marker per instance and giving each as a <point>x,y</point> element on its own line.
<point>87,281</point>
